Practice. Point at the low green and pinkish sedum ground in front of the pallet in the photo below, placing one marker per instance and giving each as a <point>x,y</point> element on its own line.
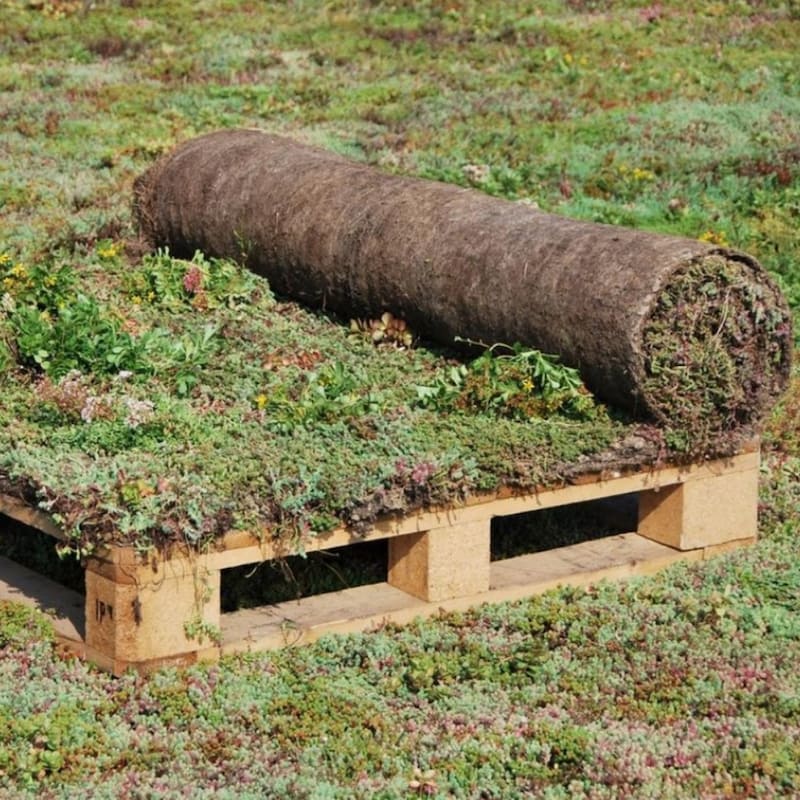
<point>681,684</point>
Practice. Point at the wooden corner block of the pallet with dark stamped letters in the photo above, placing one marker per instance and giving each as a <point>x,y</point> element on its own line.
<point>137,615</point>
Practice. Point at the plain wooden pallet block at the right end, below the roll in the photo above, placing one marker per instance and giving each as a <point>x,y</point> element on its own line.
<point>704,511</point>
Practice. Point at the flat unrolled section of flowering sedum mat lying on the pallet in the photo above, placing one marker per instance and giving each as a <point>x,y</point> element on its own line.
<point>175,400</point>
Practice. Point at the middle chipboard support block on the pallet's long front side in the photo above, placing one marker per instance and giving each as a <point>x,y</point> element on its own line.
<point>442,563</point>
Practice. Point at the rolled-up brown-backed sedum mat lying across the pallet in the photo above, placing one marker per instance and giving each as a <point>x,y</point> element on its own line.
<point>693,335</point>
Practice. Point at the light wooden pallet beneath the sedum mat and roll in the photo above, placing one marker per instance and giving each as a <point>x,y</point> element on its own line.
<point>146,612</point>
